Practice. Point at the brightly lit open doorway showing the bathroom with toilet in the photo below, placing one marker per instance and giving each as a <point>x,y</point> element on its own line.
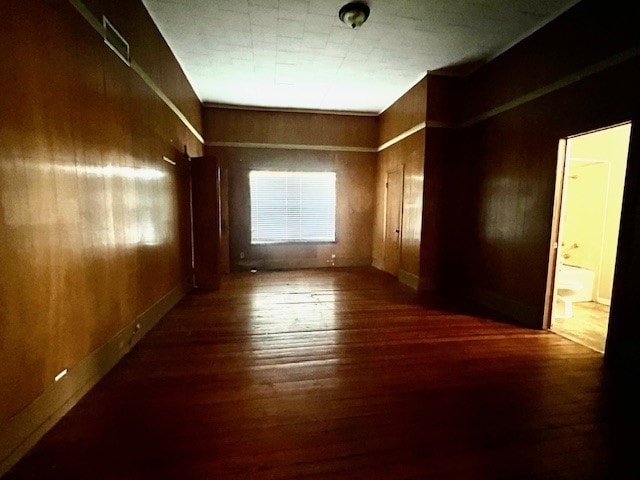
<point>592,167</point>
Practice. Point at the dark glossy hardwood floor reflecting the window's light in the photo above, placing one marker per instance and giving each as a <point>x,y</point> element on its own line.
<point>343,374</point>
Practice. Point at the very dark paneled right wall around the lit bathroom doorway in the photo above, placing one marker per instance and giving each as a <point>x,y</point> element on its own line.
<point>499,183</point>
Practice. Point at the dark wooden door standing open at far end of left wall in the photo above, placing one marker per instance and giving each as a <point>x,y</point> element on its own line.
<point>206,221</point>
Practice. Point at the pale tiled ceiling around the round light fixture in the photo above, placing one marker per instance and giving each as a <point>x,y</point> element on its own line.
<point>297,53</point>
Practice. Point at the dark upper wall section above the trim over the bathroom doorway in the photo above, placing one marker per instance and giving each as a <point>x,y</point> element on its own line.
<point>579,39</point>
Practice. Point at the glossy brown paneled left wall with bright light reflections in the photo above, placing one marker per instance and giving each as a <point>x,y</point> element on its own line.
<point>94,225</point>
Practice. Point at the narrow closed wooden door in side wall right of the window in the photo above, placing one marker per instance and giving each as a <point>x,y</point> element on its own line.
<point>393,221</point>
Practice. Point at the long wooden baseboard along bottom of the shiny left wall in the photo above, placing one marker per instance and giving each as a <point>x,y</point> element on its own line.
<point>21,432</point>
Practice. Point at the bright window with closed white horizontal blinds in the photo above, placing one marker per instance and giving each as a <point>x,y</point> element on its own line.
<point>292,206</point>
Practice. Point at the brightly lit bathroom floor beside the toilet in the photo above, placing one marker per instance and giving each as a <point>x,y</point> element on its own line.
<point>587,326</point>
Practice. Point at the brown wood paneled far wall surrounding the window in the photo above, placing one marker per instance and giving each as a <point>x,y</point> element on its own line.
<point>297,133</point>
